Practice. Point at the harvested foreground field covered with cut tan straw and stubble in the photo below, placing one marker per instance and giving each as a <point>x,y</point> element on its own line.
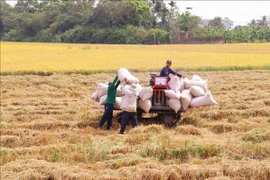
<point>48,132</point>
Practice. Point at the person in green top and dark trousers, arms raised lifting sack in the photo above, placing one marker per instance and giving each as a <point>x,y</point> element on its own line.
<point>110,101</point>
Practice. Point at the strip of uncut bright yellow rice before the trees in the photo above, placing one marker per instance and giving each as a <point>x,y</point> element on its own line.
<point>27,58</point>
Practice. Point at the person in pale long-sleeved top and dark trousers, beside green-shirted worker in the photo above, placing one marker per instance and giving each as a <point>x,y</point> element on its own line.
<point>129,106</point>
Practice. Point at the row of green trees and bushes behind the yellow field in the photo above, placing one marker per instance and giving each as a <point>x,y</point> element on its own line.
<point>117,22</point>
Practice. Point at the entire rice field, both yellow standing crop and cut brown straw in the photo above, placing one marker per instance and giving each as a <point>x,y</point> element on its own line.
<point>48,123</point>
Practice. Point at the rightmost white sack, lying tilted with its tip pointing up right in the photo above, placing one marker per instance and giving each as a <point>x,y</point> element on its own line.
<point>205,100</point>
